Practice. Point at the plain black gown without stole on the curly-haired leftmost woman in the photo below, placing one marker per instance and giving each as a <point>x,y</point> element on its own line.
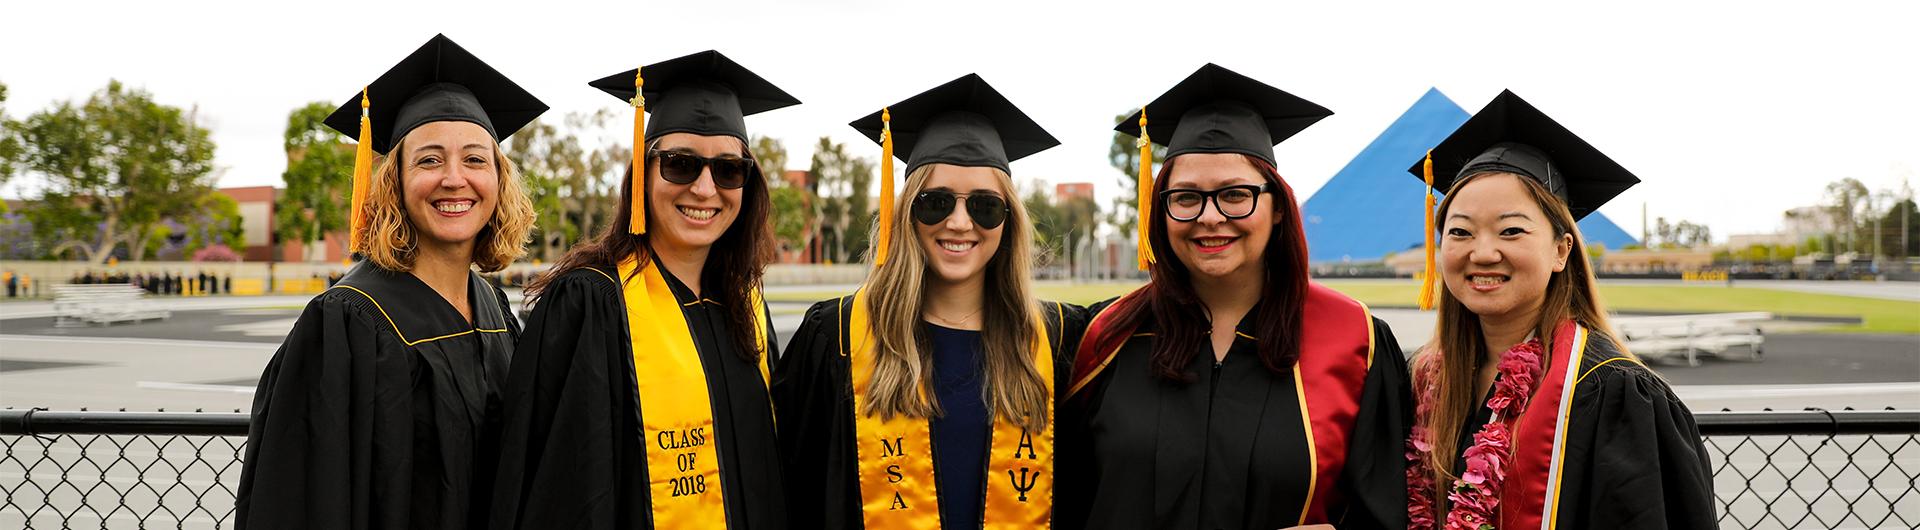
<point>379,410</point>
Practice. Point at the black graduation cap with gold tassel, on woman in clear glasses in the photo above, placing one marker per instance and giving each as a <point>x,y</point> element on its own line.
<point>1216,112</point>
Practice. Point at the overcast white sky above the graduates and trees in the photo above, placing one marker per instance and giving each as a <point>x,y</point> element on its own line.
<point>1731,112</point>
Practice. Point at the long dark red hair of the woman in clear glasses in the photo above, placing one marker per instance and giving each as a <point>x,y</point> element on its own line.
<point>1182,322</point>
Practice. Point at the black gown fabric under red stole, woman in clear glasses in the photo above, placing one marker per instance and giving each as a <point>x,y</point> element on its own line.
<point>1226,450</point>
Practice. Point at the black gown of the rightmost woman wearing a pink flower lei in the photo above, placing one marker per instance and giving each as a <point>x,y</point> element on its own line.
<point>1633,454</point>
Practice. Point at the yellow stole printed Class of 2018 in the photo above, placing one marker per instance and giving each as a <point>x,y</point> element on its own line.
<point>683,466</point>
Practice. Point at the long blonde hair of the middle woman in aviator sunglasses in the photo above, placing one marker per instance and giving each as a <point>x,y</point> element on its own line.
<point>903,356</point>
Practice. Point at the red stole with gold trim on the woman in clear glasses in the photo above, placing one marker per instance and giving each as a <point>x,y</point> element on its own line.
<point>1335,356</point>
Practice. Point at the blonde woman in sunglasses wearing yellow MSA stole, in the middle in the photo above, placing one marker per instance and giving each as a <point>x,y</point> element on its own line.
<point>926,398</point>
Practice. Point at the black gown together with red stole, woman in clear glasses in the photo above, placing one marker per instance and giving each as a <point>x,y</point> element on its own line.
<point>1241,446</point>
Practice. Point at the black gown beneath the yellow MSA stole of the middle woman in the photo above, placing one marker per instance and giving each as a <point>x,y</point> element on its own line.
<point>813,395</point>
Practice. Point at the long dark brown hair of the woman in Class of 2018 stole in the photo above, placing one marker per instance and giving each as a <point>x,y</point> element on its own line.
<point>734,266</point>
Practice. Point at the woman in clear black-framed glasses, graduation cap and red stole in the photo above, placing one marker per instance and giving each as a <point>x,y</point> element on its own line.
<point>1232,393</point>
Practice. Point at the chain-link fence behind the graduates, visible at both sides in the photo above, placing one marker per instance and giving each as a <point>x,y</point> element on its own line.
<point>1804,470</point>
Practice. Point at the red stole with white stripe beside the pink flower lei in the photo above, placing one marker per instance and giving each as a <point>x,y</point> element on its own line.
<point>1531,494</point>
